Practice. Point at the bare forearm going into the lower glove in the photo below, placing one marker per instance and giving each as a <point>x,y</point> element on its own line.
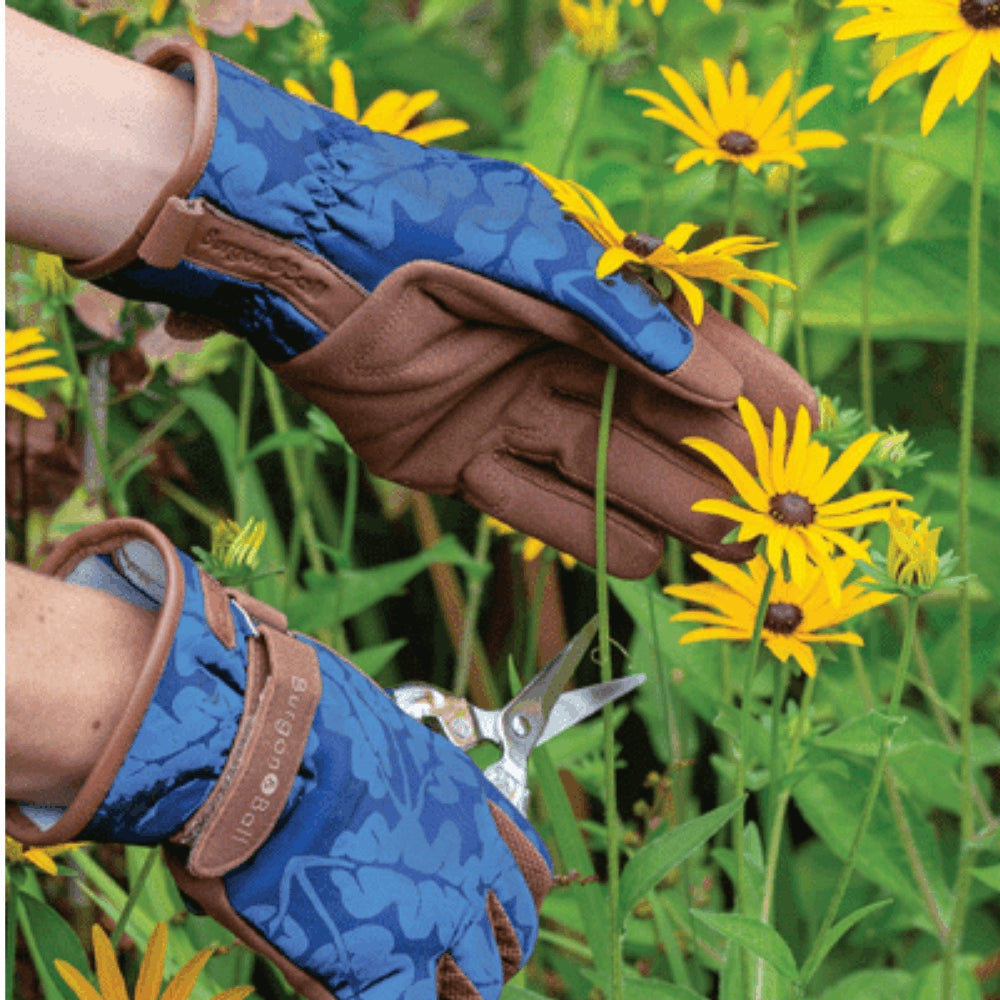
<point>72,656</point>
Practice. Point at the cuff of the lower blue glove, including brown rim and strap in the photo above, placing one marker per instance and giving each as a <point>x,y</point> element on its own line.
<point>148,785</point>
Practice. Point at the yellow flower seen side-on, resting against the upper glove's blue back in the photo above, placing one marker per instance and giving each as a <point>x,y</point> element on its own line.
<point>648,255</point>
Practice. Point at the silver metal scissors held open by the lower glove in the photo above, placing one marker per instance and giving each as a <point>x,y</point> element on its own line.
<point>533,716</point>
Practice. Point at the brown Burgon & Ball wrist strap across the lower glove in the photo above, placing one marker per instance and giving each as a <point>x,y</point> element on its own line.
<point>283,691</point>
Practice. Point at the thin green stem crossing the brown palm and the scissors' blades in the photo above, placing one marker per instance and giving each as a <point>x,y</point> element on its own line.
<point>604,639</point>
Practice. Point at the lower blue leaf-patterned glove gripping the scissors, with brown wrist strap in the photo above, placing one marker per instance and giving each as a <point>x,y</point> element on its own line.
<point>298,806</point>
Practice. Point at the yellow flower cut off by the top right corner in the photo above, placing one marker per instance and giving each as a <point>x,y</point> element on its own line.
<point>963,33</point>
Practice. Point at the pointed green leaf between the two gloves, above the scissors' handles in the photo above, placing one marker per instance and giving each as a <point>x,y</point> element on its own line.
<point>349,591</point>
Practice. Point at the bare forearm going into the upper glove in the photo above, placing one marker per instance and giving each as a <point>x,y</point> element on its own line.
<point>91,139</point>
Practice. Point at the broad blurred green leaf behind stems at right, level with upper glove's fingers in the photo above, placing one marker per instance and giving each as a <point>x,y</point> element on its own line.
<point>920,292</point>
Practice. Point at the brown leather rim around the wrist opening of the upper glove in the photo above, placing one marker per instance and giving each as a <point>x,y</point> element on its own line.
<point>167,57</point>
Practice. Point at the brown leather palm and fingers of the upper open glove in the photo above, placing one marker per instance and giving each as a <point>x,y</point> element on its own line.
<point>448,382</point>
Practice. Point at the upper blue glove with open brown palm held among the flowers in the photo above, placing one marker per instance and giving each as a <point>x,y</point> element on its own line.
<point>443,311</point>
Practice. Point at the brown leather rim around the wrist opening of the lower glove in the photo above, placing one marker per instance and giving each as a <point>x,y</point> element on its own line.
<point>99,540</point>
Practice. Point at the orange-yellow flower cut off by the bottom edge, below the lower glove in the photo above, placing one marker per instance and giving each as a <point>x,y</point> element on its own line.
<point>111,983</point>
